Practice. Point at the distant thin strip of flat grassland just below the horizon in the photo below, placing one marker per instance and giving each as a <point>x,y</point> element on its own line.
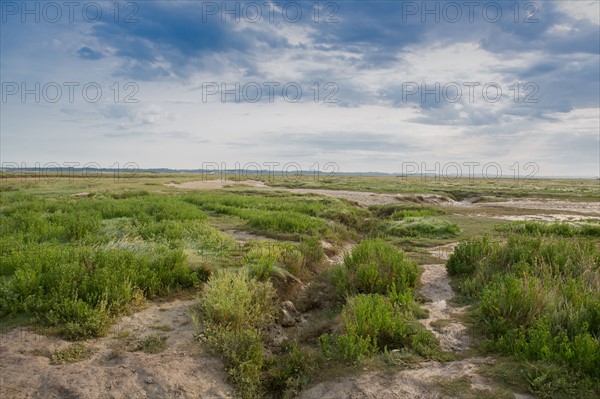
<point>584,189</point>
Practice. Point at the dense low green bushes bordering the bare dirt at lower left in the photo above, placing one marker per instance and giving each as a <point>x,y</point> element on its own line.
<point>78,289</point>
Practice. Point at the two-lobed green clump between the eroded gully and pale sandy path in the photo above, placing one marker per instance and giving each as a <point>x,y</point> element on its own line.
<point>377,279</point>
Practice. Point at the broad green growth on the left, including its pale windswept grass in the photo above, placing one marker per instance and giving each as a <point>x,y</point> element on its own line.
<point>75,264</point>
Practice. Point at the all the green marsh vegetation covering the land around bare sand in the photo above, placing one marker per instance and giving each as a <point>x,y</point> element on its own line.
<point>317,287</point>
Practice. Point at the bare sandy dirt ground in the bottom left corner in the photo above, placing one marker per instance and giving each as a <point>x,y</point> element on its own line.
<point>182,370</point>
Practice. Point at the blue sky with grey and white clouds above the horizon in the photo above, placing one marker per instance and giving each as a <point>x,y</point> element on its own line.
<point>443,87</point>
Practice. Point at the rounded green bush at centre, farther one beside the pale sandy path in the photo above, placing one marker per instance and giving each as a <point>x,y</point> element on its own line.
<point>375,266</point>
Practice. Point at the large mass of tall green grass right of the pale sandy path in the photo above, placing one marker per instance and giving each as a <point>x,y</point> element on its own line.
<point>537,299</point>
